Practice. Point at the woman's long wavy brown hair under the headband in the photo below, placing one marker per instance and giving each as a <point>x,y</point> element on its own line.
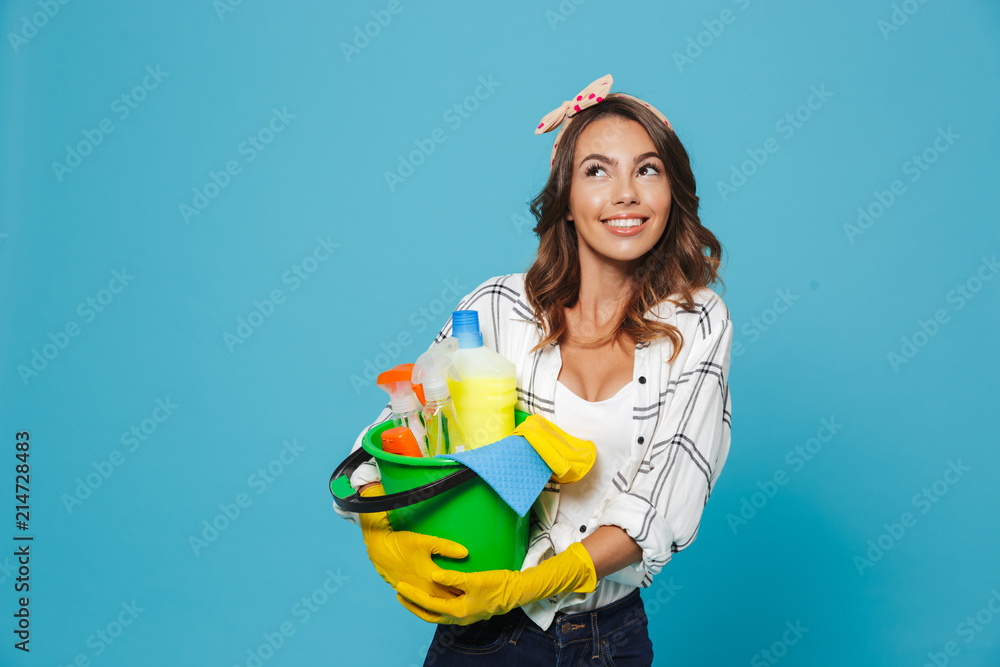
<point>676,266</point>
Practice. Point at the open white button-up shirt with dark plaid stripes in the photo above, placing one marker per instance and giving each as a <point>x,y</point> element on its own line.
<point>681,428</point>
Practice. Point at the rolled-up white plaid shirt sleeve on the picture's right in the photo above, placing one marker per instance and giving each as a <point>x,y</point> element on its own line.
<point>661,508</point>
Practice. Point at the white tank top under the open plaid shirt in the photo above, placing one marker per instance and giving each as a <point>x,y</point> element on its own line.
<point>608,424</point>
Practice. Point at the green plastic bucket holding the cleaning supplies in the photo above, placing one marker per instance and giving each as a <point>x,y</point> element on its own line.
<point>442,498</point>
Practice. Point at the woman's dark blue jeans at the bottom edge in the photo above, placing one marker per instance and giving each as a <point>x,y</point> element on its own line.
<point>615,634</point>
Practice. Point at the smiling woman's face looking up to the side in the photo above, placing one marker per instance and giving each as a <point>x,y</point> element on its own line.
<point>617,174</point>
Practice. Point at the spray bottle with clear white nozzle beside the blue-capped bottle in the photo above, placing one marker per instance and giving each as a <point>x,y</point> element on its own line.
<point>445,434</point>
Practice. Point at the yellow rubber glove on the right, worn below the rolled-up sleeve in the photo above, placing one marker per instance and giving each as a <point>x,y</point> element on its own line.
<point>495,592</point>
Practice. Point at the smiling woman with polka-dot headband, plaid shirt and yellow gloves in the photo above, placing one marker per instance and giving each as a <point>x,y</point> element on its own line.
<point>617,339</point>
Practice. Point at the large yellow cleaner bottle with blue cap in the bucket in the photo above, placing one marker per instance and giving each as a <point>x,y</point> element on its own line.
<point>487,394</point>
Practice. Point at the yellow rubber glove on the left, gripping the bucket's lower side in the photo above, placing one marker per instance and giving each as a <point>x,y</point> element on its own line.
<point>405,555</point>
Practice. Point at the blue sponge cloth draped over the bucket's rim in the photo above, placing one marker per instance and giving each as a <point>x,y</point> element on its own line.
<point>512,467</point>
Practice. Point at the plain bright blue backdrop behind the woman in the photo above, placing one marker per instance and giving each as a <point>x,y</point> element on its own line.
<point>461,216</point>
